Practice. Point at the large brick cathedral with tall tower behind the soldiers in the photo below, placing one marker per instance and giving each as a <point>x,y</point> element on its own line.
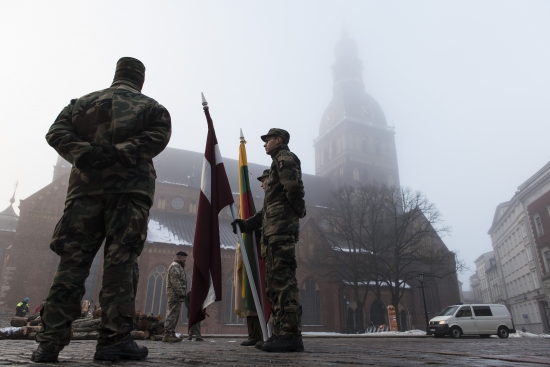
<point>354,145</point>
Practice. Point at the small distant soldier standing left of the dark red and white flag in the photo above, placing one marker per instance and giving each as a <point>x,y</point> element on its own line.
<point>176,288</point>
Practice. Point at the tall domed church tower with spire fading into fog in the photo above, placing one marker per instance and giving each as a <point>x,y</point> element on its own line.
<point>355,145</point>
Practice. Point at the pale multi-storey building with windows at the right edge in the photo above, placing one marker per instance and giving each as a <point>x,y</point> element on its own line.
<point>513,234</point>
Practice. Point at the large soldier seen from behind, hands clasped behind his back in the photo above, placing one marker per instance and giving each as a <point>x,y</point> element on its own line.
<point>110,137</point>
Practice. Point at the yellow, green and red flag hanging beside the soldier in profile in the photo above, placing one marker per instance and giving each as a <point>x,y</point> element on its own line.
<point>244,300</point>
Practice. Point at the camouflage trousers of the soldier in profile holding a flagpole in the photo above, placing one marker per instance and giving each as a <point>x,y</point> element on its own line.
<point>282,288</point>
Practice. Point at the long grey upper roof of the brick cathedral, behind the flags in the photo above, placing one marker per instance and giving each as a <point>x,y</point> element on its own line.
<point>177,166</point>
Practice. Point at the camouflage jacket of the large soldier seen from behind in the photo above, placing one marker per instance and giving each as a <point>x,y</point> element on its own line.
<point>136,125</point>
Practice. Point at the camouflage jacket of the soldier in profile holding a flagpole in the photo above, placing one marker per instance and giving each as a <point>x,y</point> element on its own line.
<point>284,199</point>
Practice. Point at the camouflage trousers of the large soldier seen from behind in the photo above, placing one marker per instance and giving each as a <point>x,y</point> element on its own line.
<point>120,220</point>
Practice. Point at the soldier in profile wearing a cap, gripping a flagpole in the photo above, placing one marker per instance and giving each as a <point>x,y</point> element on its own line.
<point>279,218</point>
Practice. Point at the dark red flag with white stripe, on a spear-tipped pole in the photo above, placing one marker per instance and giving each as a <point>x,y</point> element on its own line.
<point>214,196</point>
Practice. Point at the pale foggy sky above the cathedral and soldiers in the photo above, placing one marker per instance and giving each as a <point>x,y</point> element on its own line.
<point>465,83</point>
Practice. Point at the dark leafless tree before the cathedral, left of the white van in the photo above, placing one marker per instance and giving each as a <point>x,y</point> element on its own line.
<point>380,236</point>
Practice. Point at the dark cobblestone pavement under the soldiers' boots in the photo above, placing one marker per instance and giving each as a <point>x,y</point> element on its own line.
<point>335,351</point>
